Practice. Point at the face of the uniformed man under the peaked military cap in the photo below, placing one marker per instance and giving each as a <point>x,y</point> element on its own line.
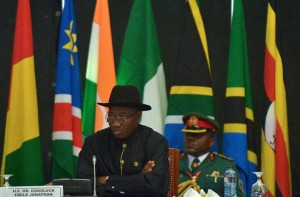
<point>197,144</point>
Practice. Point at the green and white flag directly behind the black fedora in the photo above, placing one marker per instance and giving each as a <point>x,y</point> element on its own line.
<point>141,64</point>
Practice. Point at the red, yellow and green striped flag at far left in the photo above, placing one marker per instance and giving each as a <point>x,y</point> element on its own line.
<point>22,148</point>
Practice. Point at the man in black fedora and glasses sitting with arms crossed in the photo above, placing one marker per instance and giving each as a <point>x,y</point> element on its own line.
<point>131,159</point>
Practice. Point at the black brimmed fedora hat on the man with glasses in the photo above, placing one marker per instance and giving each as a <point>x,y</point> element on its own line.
<point>126,96</point>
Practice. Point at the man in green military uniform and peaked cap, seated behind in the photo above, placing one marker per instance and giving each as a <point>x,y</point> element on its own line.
<point>198,164</point>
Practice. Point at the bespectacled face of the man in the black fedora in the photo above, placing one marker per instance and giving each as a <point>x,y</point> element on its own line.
<point>123,121</point>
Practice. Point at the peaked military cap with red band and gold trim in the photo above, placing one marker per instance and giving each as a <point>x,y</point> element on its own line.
<point>198,123</point>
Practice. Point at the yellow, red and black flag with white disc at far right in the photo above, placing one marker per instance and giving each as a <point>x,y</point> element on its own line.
<point>275,152</point>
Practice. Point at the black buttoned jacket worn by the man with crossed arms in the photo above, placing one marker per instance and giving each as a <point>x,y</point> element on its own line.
<point>144,145</point>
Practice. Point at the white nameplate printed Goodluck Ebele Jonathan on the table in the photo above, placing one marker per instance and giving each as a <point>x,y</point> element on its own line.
<point>31,191</point>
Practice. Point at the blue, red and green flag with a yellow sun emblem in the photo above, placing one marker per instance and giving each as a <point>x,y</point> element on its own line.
<point>67,132</point>
